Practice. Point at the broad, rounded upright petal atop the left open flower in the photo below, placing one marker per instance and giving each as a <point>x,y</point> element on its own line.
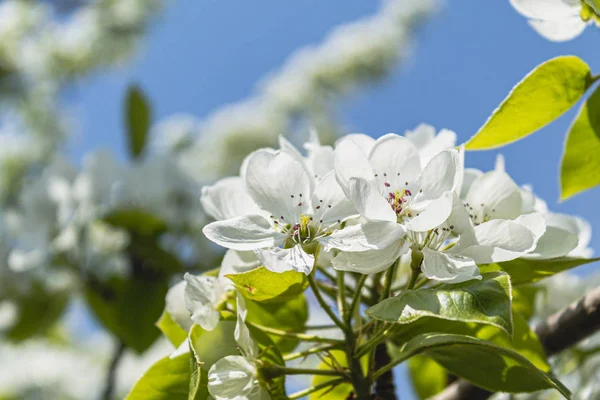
<point>278,184</point>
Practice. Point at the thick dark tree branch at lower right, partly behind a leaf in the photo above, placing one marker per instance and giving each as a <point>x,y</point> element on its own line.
<point>558,332</point>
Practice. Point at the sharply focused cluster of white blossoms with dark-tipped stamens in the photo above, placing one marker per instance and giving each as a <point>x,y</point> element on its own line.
<point>367,202</point>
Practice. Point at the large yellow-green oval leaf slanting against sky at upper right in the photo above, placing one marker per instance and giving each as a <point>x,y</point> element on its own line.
<point>543,95</point>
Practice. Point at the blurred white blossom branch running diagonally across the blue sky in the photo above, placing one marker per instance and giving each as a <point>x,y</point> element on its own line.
<point>311,78</point>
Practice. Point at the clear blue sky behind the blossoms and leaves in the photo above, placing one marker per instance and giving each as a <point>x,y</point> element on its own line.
<point>202,54</point>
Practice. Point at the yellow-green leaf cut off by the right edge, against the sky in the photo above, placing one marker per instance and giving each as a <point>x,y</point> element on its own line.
<point>580,165</point>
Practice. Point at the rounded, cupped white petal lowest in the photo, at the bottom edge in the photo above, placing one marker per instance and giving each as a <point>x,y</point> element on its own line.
<point>230,377</point>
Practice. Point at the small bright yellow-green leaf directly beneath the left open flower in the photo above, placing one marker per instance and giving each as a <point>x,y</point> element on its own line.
<point>260,284</point>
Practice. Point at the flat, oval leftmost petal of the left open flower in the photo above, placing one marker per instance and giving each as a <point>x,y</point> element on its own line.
<point>243,233</point>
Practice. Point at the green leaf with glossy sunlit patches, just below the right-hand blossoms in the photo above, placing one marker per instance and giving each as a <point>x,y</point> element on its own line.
<point>486,302</point>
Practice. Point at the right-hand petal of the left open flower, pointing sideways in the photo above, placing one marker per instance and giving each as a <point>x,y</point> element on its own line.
<point>366,236</point>
